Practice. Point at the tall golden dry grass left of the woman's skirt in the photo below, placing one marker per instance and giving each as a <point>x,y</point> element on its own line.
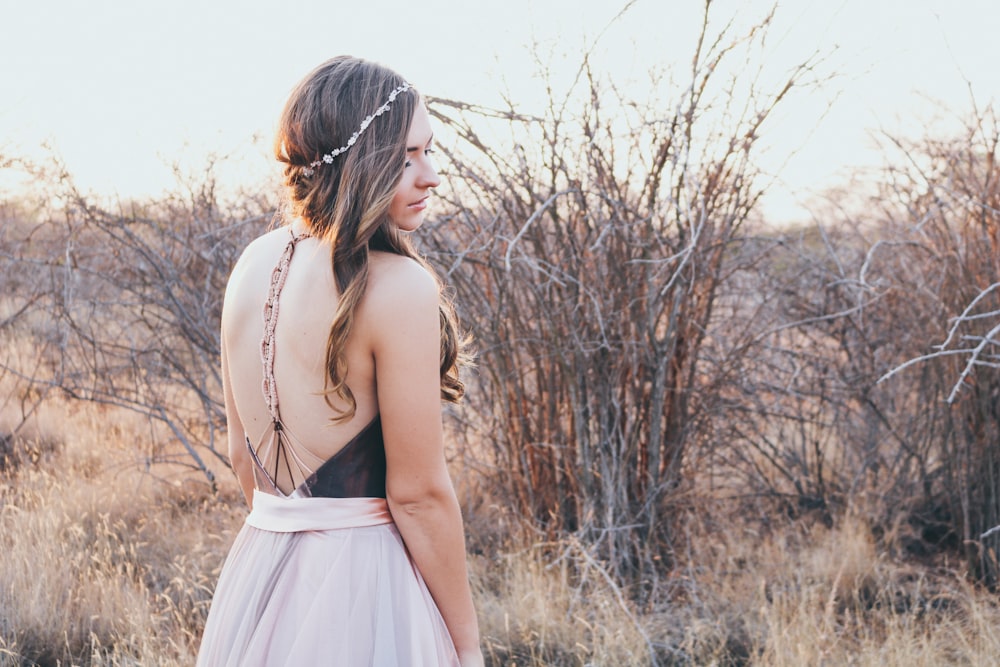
<point>105,563</point>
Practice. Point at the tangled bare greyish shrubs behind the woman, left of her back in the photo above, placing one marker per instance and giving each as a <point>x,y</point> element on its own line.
<point>121,306</point>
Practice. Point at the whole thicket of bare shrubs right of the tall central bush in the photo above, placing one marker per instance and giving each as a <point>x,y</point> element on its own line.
<point>909,280</point>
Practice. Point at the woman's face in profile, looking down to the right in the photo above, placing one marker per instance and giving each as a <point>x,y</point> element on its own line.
<point>419,174</point>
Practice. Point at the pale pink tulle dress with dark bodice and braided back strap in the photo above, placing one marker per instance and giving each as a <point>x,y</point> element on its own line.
<point>314,580</point>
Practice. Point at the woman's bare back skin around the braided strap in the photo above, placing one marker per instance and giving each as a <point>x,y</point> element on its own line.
<point>306,304</point>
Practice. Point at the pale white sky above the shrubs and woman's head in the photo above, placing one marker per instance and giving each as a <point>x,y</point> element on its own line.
<point>120,89</point>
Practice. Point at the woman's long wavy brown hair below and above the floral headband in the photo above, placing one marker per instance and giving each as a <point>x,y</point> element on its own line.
<point>346,202</point>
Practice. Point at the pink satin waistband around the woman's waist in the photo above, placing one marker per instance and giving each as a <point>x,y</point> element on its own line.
<point>292,515</point>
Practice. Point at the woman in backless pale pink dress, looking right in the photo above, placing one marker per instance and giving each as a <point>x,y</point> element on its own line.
<point>349,467</point>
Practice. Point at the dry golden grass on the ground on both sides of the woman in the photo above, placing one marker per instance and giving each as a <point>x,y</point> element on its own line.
<point>105,564</point>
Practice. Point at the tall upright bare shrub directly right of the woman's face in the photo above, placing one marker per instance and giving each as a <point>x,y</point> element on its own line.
<point>586,258</point>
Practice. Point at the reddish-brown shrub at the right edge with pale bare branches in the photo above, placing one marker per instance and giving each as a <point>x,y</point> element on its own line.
<point>946,206</point>
